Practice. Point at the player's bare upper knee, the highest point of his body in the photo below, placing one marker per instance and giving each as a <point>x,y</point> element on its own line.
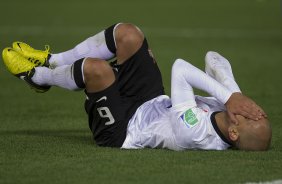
<point>129,35</point>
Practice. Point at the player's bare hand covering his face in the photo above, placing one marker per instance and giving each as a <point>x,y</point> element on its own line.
<point>239,104</point>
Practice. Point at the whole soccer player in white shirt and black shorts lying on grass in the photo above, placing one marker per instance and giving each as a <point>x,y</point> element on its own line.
<point>125,102</point>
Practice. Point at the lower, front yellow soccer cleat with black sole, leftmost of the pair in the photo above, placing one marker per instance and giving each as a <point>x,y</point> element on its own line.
<point>22,68</point>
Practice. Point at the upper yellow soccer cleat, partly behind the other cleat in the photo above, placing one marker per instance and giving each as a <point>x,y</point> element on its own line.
<point>38,57</point>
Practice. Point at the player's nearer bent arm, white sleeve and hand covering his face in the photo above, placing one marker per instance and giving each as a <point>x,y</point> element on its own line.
<point>188,76</point>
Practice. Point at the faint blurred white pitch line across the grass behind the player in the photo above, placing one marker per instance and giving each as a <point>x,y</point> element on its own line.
<point>152,31</point>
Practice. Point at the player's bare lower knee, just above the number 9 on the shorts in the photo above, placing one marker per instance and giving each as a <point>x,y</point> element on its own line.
<point>95,69</point>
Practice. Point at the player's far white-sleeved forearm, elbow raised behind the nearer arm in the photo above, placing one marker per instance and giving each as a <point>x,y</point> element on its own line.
<point>220,69</point>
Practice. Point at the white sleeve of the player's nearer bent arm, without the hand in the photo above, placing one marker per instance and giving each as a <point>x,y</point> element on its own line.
<point>186,76</point>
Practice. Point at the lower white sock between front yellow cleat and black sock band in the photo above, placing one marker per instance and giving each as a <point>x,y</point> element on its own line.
<point>61,76</point>
